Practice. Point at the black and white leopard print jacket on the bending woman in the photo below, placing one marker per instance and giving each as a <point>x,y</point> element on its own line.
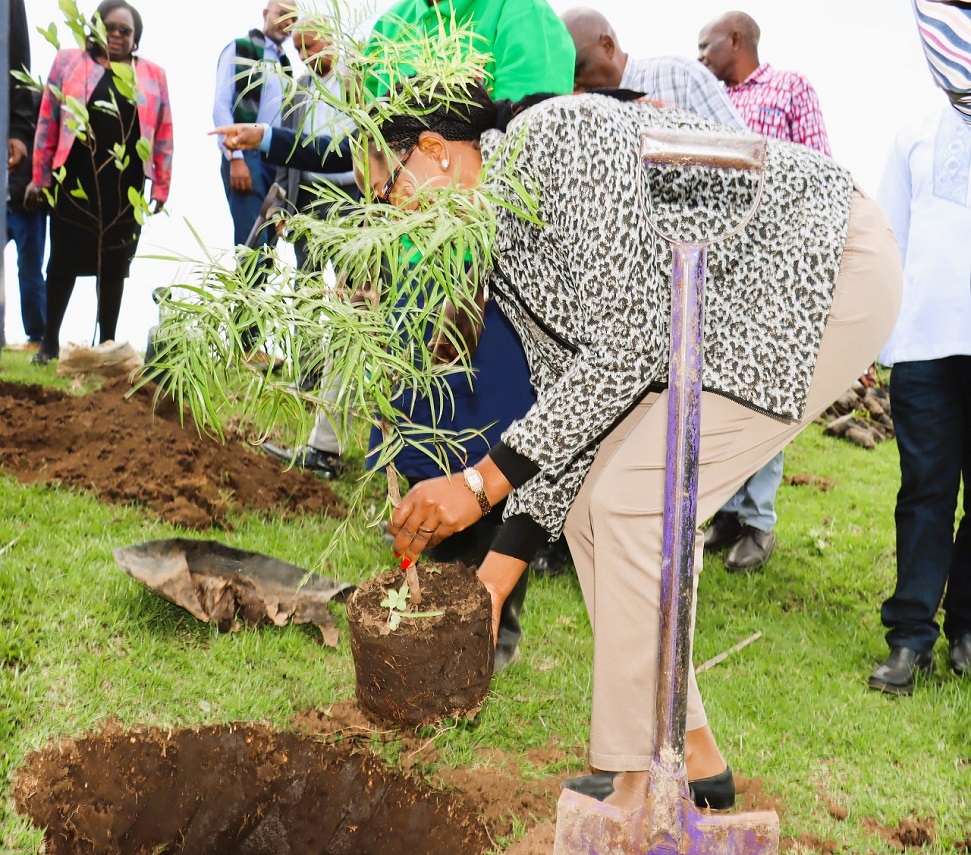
<point>589,290</point>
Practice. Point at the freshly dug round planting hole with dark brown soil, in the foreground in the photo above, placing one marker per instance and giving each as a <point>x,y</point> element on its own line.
<point>238,790</point>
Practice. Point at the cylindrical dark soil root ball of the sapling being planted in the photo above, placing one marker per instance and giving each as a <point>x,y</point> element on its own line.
<point>402,676</point>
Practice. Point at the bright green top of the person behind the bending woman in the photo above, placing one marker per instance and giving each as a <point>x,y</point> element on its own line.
<point>531,48</point>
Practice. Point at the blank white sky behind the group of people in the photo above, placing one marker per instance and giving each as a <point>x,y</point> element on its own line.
<point>863,57</point>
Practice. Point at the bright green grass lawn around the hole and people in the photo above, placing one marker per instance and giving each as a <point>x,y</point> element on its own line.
<point>81,644</point>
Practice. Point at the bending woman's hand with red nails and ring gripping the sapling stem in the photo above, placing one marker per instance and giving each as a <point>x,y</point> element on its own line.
<point>432,511</point>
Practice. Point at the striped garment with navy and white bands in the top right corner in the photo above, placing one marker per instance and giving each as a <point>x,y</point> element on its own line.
<point>945,30</point>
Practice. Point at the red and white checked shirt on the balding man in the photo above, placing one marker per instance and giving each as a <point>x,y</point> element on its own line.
<point>782,105</point>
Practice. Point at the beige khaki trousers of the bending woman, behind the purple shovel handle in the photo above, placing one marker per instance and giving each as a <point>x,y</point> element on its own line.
<point>615,525</point>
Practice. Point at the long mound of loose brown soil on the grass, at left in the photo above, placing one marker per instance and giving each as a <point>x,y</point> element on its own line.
<point>120,449</point>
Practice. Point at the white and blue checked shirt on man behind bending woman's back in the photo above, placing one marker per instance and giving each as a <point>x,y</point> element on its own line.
<point>679,82</point>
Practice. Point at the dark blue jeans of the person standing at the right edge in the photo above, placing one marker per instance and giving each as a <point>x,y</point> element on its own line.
<point>932,417</point>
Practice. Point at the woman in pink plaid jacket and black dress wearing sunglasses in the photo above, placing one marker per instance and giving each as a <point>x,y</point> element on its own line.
<point>94,165</point>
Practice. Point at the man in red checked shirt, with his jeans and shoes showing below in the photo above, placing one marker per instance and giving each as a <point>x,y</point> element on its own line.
<point>782,105</point>
